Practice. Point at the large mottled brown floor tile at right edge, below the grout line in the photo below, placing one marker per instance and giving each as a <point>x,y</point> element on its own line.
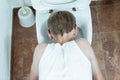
<point>111,46</point>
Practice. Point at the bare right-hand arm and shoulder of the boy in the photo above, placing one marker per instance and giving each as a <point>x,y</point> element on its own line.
<point>86,47</point>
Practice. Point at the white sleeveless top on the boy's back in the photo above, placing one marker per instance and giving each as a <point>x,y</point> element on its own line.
<point>64,62</point>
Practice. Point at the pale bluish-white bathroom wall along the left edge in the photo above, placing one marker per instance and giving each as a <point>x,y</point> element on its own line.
<point>5,39</point>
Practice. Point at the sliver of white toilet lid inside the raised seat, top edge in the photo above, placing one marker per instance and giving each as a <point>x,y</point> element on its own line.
<point>55,2</point>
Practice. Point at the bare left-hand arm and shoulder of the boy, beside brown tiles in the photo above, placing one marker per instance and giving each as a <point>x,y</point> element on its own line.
<point>36,58</point>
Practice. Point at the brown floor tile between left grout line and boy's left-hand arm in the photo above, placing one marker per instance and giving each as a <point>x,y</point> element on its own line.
<point>29,46</point>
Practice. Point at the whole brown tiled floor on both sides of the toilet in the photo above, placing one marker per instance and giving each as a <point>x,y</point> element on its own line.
<point>106,41</point>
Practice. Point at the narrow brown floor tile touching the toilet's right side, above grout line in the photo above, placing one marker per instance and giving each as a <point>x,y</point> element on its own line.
<point>94,20</point>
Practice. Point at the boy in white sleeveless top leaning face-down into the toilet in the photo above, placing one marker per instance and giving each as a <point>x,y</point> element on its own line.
<point>67,58</point>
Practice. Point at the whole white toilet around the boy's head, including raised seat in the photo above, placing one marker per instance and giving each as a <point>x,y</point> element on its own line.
<point>79,8</point>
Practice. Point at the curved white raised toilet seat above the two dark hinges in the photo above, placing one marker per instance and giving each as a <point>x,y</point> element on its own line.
<point>42,5</point>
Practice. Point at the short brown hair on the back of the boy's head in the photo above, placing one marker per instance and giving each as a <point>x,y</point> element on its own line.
<point>61,22</point>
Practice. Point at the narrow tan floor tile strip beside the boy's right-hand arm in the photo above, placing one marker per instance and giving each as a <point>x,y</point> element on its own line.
<point>97,47</point>
